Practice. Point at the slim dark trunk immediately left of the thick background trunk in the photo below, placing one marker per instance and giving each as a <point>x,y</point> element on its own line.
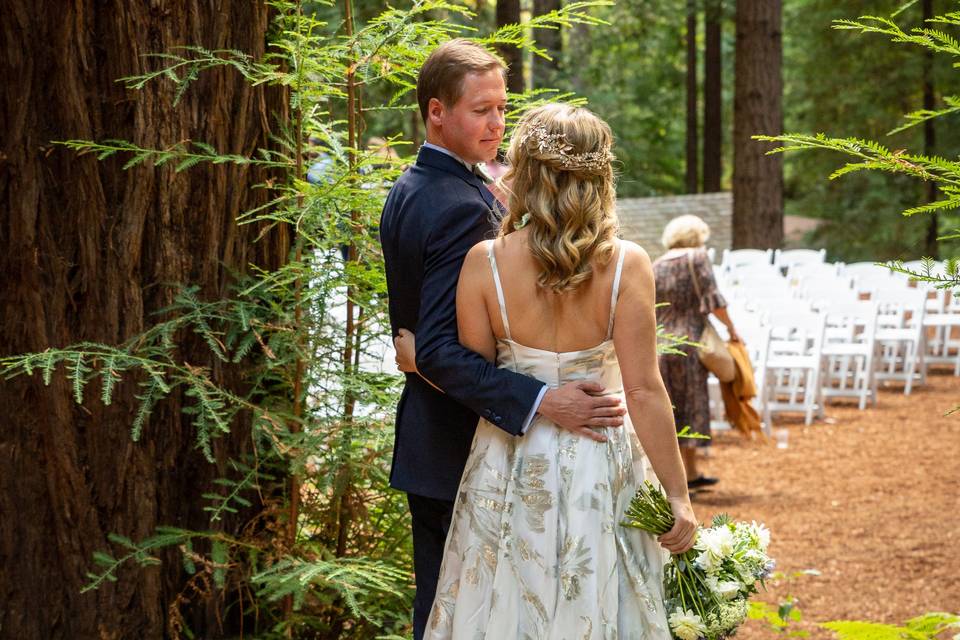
<point>713,98</point>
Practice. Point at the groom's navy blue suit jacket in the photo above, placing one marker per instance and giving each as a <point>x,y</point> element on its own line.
<point>434,214</point>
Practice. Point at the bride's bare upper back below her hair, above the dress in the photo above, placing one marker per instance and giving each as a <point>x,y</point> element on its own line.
<point>538,317</point>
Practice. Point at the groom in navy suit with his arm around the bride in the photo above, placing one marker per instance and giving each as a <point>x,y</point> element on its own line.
<point>434,213</point>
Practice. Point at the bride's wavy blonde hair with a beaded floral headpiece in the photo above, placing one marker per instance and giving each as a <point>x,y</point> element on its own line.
<point>561,187</point>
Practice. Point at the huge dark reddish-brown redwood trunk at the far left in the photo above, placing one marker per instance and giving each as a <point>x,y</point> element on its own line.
<point>88,252</point>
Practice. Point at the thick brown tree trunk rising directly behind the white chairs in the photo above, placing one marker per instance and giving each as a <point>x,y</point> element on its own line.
<point>758,93</point>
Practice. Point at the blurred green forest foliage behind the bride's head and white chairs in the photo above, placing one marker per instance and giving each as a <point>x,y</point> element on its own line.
<point>635,72</point>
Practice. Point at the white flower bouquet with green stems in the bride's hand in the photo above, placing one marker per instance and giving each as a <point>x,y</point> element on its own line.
<point>707,587</point>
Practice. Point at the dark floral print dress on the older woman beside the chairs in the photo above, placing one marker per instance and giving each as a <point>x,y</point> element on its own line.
<point>684,315</point>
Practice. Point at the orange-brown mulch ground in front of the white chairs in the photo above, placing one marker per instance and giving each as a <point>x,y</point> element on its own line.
<point>869,499</point>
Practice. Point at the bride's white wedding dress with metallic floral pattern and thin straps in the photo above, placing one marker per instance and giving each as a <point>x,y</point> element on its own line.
<point>535,550</point>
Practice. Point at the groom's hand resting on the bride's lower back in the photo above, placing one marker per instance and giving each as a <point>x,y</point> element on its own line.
<point>577,407</point>
